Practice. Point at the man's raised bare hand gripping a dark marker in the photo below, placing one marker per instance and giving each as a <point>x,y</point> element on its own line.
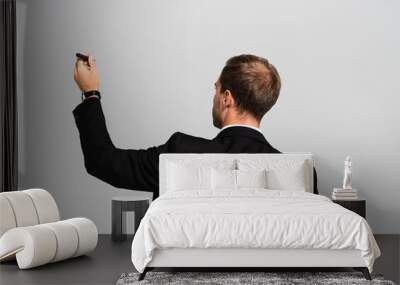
<point>85,74</point>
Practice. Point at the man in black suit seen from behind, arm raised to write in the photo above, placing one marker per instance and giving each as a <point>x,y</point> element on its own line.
<point>247,88</point>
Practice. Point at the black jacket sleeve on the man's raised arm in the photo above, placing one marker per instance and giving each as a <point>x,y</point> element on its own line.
<point>135,169</point>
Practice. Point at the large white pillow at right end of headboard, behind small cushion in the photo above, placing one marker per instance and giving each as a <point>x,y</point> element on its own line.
<point>282,174</point>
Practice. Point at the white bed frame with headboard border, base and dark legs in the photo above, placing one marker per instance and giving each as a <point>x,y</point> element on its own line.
<point>248,259</point>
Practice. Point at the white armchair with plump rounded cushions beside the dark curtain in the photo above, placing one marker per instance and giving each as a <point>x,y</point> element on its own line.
<point>31,231</point>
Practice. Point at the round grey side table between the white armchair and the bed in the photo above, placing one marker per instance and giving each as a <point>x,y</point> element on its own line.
<point>120,204</point>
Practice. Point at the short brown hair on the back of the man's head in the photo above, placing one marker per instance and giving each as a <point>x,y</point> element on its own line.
<point>253,82</point>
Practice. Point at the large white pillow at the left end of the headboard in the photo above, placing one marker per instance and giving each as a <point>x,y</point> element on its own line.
<point>187,177</point>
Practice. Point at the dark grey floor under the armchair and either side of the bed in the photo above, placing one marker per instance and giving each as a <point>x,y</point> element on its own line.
<point>110,259</point>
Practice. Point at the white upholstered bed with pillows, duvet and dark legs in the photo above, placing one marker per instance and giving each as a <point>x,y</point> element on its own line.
<point>247,210</point>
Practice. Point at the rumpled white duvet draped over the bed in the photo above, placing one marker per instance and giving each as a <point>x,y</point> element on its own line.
<point>251,218</point>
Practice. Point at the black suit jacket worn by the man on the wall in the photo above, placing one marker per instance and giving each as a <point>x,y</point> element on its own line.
<point>137,169</point>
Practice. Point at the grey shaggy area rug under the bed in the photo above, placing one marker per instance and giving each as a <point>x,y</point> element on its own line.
<point>229,278</point>
